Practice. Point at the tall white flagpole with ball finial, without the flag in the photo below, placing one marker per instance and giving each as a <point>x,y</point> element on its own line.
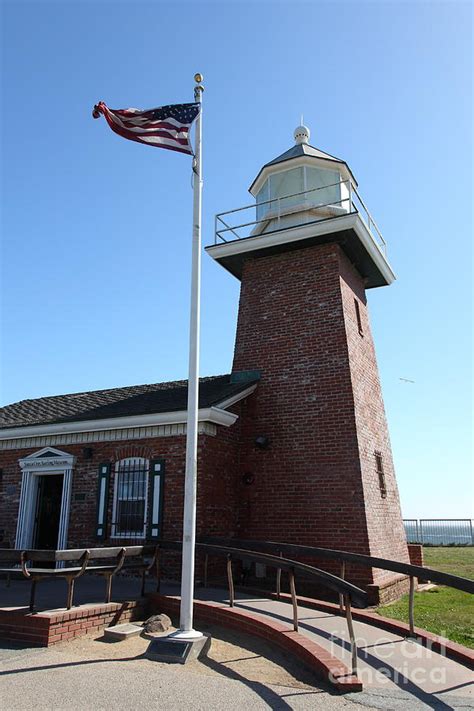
<point>186,630</point>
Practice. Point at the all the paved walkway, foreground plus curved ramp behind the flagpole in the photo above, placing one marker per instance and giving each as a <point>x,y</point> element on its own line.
<point>397,674</point>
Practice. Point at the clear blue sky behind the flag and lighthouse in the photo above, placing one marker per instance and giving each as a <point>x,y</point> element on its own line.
<point>96,229</point>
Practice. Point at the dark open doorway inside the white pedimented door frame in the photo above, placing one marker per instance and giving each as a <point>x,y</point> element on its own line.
<point>48,511</point>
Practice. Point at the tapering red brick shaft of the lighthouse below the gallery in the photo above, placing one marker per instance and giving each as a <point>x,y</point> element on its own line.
<point>316,483</point>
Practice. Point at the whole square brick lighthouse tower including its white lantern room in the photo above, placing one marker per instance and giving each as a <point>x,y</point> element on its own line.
<point>316,441</point>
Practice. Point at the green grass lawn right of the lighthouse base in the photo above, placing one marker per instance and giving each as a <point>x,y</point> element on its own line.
<point>444,611</point>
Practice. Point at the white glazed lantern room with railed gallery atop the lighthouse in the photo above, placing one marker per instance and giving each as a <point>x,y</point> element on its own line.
<point>303,197</point>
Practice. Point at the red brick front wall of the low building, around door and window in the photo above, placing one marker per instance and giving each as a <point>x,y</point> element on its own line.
<point>217,462</point>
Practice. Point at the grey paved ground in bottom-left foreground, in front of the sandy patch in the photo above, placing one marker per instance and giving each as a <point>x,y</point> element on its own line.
<point>57,679</point>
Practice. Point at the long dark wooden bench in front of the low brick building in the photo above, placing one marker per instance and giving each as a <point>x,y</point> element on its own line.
<point>95,561</point>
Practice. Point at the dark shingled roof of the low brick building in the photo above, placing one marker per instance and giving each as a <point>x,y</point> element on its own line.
<point>119,402</point>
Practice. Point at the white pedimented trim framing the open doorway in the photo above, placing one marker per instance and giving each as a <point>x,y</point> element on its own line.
<point>46,461</point>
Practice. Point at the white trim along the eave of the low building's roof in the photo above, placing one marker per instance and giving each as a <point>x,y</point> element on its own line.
<point>216,415</point>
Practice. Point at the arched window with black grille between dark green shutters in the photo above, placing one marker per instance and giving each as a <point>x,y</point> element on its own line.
<point>129,518</point>
